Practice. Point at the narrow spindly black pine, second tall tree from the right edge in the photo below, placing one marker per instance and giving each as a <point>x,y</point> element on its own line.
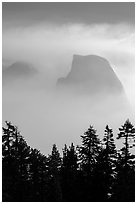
<point>107,162</point>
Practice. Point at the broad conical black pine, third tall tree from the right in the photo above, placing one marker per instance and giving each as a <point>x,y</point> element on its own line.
<point>89,152</point>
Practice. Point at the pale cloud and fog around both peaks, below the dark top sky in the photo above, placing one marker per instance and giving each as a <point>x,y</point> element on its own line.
<point>49,48</point>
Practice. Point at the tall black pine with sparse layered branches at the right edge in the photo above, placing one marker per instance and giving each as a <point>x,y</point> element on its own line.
<point>124,190</point>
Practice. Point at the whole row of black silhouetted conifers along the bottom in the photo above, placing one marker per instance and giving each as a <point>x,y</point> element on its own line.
<point>94,171</point>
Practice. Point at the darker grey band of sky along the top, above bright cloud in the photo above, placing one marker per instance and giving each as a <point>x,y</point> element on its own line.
<point>17,14</point>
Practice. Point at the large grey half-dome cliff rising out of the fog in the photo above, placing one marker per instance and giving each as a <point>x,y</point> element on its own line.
<point>91,74</point>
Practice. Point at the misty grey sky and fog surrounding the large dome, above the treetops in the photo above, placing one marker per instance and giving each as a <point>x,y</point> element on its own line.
<point>43,37</point>
